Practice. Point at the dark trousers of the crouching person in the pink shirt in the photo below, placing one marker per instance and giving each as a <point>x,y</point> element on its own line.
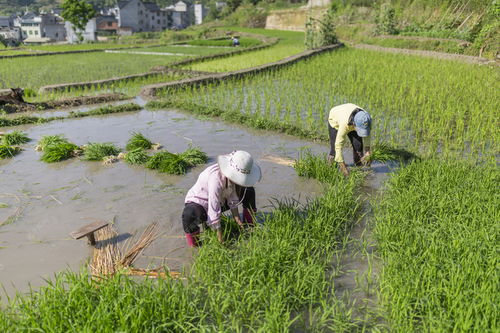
<point>193,214</point>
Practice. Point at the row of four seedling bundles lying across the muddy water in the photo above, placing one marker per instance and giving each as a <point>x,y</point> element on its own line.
<point>57,148</point>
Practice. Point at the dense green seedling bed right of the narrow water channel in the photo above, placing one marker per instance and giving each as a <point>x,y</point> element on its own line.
<point>437,233</point>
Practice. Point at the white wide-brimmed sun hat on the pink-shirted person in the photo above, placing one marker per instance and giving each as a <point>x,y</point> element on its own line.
<point>240,168</point>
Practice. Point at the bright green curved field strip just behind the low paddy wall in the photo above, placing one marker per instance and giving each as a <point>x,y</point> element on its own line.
<point>291,42</point>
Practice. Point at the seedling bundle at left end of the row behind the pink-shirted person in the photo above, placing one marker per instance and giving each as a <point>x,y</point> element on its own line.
<point>57,148</point>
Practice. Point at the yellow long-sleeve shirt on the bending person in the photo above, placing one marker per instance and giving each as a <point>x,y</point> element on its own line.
<point>339,119</point>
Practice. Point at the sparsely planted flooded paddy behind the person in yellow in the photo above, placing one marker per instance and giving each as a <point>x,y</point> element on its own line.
<point>426,105</point>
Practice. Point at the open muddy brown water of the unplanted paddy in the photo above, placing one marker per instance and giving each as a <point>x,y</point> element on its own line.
<point>40,204</point>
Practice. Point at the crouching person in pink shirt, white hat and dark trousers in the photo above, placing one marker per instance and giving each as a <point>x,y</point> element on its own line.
<point>220,187</point>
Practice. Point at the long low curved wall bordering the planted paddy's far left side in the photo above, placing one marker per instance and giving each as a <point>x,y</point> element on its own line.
<point>152,90</point>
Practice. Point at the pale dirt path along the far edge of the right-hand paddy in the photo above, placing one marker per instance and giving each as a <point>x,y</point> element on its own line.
<point>431,54</point>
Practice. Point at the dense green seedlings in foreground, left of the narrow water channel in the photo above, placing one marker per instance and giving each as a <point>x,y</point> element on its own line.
<point>287,257</point>
